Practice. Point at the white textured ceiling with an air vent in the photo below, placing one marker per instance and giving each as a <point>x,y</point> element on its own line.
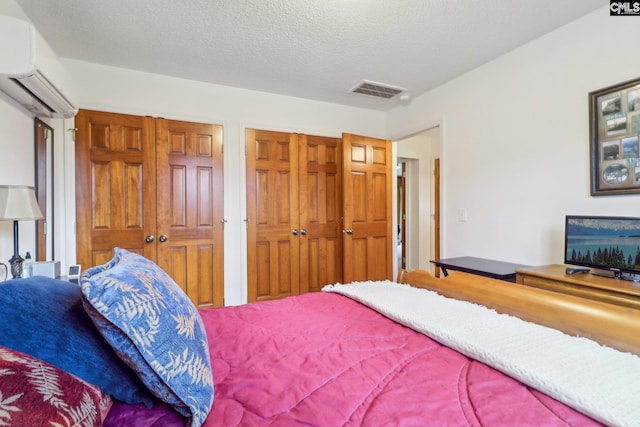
<point>317,49</point>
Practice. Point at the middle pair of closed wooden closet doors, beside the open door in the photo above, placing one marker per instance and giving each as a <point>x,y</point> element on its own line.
<point>294,209</point>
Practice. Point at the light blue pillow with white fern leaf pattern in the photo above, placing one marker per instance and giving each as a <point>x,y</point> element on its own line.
<point>153,326</point>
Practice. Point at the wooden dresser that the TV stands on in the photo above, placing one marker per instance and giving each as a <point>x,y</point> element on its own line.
<point>607,289</point>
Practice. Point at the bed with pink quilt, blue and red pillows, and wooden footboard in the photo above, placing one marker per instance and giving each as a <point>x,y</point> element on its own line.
<point>425,351</point>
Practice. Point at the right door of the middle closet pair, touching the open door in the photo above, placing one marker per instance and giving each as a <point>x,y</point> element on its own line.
<point>320,185</point>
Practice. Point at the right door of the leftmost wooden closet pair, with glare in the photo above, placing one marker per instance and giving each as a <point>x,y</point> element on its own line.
<point>190,211</point>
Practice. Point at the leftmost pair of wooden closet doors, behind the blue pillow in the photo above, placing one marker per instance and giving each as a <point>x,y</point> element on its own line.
<point>154,187</point>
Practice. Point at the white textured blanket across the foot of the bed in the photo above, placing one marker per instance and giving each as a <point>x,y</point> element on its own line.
<point>598,381</point>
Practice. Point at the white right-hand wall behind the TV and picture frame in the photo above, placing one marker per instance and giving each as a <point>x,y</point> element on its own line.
<point>515,150</point>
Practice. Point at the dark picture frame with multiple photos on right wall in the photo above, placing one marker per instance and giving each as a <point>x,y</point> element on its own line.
<point>614,134</point>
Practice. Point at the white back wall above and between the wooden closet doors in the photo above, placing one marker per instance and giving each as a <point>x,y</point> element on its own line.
<point>125,91</point>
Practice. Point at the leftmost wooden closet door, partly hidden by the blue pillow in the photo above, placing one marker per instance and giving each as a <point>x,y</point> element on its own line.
<point>115,185</point>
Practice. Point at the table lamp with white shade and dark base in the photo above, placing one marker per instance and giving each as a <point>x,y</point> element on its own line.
<point>18,203</point>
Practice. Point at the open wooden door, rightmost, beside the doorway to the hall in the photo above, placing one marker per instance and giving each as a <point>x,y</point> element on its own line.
<point>368,238</point>
